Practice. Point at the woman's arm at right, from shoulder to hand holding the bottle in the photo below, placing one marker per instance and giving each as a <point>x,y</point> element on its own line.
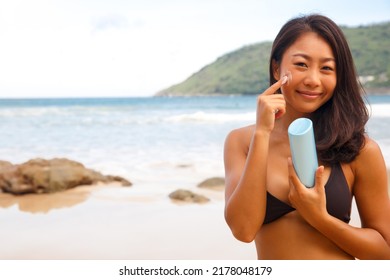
<point>372,241</point>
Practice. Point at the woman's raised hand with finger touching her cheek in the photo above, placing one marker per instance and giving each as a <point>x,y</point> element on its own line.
<point>270,106</point>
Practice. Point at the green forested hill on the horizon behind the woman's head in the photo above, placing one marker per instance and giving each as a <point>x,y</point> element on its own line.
<point>245,71</point>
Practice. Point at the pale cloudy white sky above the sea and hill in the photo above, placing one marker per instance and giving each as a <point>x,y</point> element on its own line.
<point>119,48</point>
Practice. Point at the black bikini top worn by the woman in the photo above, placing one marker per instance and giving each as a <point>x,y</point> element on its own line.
<point>338,199</point>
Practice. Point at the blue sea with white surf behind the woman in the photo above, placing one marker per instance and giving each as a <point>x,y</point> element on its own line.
<point>165,141</point>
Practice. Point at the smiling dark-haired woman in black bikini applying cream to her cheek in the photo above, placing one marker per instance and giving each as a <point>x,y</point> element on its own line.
<point>311,75</point>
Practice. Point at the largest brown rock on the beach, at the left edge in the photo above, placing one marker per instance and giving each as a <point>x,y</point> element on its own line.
<point>47,176</point>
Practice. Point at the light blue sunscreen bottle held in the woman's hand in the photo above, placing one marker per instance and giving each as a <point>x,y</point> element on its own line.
<point>303,150</point>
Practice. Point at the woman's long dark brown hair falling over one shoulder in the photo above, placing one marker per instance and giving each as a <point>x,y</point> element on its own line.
<point>339,124</point>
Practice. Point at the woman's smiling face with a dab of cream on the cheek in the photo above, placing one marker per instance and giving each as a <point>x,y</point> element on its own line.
<point>313,68</point>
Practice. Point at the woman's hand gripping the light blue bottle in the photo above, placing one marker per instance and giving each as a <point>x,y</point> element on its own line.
<point>309,202</point>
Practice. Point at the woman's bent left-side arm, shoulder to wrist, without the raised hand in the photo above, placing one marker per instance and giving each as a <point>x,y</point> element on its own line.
<point>245,175</point>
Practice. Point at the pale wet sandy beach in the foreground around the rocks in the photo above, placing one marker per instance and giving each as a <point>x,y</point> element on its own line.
<point>113,222</point>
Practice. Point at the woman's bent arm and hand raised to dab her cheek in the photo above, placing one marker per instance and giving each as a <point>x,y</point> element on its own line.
<point>245,158</point>
